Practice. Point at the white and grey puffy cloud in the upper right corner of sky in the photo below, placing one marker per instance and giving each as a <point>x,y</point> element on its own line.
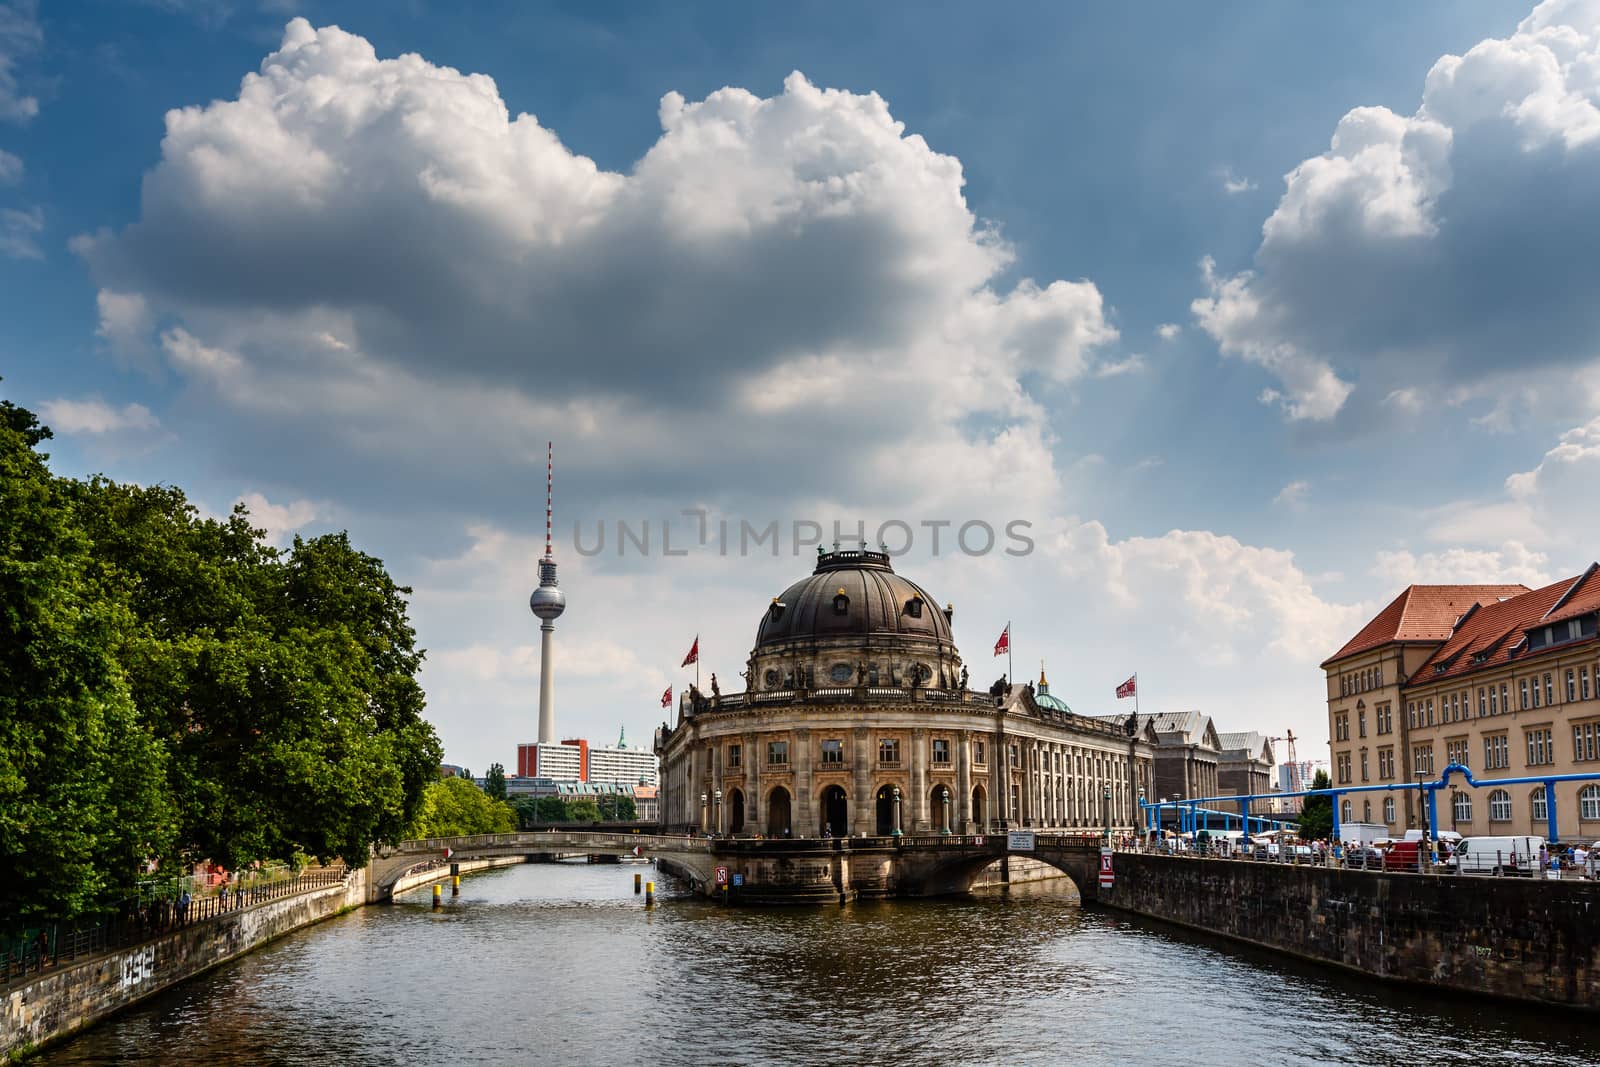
<point>1422,249</point>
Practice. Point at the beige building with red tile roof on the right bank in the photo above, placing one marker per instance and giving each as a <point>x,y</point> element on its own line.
<point>1500,679</point>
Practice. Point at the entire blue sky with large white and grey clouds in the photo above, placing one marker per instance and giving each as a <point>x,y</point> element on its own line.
<point>1226,321</point>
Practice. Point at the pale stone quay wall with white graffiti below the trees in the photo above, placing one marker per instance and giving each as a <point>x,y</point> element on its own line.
<point>78,996</point>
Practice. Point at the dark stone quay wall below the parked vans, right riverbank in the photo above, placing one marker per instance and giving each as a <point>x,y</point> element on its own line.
<point>1518,938</point>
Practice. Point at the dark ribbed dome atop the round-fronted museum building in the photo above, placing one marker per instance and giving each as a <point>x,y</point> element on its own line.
<point>854,596</point>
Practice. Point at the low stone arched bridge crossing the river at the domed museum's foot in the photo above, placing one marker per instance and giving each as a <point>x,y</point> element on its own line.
<point>772,871</point>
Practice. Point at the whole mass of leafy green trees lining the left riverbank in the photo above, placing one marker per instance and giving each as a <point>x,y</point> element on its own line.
<point>174,687</point>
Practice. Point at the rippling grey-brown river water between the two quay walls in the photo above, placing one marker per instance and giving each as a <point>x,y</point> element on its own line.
<point>561,964</point>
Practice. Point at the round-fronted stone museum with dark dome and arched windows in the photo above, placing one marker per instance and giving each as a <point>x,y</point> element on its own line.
<point>858,719</point>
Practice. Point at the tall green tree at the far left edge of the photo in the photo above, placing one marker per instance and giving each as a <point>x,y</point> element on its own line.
<point>84,796</point>
